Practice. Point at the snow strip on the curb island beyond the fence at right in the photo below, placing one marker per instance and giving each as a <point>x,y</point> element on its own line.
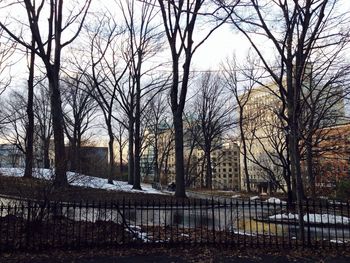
<point>314,218</point>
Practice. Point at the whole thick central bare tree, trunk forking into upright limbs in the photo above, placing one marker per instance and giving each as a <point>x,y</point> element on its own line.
<point>179,19</point>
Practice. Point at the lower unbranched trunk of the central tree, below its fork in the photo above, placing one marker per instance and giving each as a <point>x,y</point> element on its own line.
<point>179,155</point>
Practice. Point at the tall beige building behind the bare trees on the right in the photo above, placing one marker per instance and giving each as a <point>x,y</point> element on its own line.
<point>265,131</point>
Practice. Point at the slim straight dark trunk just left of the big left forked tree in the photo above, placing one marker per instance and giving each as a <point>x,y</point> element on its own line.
<point>30,114</point>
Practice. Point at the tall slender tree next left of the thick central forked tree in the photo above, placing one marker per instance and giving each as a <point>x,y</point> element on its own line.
<point>143,43</point>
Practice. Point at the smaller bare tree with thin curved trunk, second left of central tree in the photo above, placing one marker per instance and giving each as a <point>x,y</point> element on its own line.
<point>106,71</point>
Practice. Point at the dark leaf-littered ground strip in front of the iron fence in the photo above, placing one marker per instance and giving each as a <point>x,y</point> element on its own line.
<point>201,254</point>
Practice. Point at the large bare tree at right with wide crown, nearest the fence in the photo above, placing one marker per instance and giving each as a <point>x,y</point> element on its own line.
<point>298,31</point>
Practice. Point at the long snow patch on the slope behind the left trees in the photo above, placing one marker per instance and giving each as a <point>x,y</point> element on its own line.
<point>83,180</point>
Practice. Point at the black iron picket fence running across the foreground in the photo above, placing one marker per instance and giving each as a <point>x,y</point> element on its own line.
<point>40,225</point>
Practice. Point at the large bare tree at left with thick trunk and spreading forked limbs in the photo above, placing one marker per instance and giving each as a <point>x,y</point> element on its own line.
<point>49,50</point>
